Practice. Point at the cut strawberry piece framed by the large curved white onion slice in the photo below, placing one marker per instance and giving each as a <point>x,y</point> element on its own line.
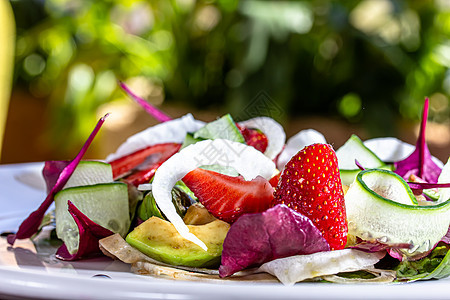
<point>228,197</point>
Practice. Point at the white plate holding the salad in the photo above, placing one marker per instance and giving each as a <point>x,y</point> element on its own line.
<point>34,273</point>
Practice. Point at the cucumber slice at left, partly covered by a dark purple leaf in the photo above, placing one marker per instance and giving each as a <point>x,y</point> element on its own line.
<point>106,204</point>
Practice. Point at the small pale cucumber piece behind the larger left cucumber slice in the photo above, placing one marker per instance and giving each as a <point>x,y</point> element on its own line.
<point>90,172</point>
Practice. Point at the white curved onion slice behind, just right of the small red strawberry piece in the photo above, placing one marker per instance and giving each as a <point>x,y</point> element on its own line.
<point>274,132</point>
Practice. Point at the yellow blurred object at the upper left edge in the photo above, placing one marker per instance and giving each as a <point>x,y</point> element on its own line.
<point>7,38</point>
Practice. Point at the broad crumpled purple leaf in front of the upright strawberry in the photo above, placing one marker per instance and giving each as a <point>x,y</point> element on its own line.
<point>261,237</point>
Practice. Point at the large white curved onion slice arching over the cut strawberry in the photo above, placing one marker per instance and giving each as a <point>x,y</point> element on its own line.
<point>246,160</point>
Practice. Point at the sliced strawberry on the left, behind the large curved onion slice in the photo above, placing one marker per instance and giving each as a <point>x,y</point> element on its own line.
<point>140,166</point>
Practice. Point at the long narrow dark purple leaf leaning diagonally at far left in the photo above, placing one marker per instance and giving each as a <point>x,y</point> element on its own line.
<point>31,224</point>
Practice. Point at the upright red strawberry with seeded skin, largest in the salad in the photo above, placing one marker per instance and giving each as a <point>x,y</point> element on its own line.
<point>311,185</point>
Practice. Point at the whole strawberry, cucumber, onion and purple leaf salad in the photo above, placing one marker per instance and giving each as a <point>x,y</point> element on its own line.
<point>235,200</point>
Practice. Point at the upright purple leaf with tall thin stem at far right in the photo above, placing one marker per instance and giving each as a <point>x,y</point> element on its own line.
<point>419,163</point>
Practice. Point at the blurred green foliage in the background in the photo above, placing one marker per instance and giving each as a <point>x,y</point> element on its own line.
<point>367,61</point>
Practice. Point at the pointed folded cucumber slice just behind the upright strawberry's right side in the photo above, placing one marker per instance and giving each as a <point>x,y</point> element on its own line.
<point>353,149</point>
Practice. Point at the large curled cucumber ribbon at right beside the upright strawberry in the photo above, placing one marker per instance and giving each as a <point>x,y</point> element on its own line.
<point>381,206</point>
